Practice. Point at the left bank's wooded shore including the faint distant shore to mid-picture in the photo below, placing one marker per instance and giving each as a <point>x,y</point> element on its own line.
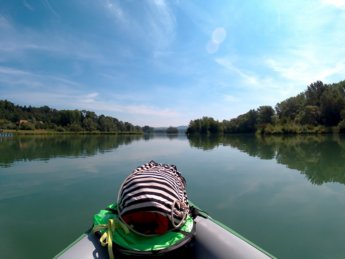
<point>23,120</point>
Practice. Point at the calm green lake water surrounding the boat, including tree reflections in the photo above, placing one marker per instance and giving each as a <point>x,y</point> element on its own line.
<point>285,194</point>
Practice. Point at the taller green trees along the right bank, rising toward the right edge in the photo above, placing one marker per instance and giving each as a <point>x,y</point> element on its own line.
<point>319,109</point>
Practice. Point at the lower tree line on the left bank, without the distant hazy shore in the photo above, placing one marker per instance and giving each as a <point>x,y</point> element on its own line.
<point>15,117</point>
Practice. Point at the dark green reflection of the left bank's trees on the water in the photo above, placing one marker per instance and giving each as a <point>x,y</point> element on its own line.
<point>27,148</point>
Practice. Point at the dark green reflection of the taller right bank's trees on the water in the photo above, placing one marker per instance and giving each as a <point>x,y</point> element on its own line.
<point>320,158</point>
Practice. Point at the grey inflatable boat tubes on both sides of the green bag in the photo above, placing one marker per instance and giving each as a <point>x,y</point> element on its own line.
<point>212,240</point>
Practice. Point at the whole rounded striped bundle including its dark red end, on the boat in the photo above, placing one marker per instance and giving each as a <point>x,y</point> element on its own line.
<point>152,200</point>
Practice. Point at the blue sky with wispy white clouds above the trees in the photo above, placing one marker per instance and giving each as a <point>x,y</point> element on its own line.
<point>165,63</point>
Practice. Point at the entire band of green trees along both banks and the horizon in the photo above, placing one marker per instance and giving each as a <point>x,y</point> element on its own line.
<point>320,109</point>
